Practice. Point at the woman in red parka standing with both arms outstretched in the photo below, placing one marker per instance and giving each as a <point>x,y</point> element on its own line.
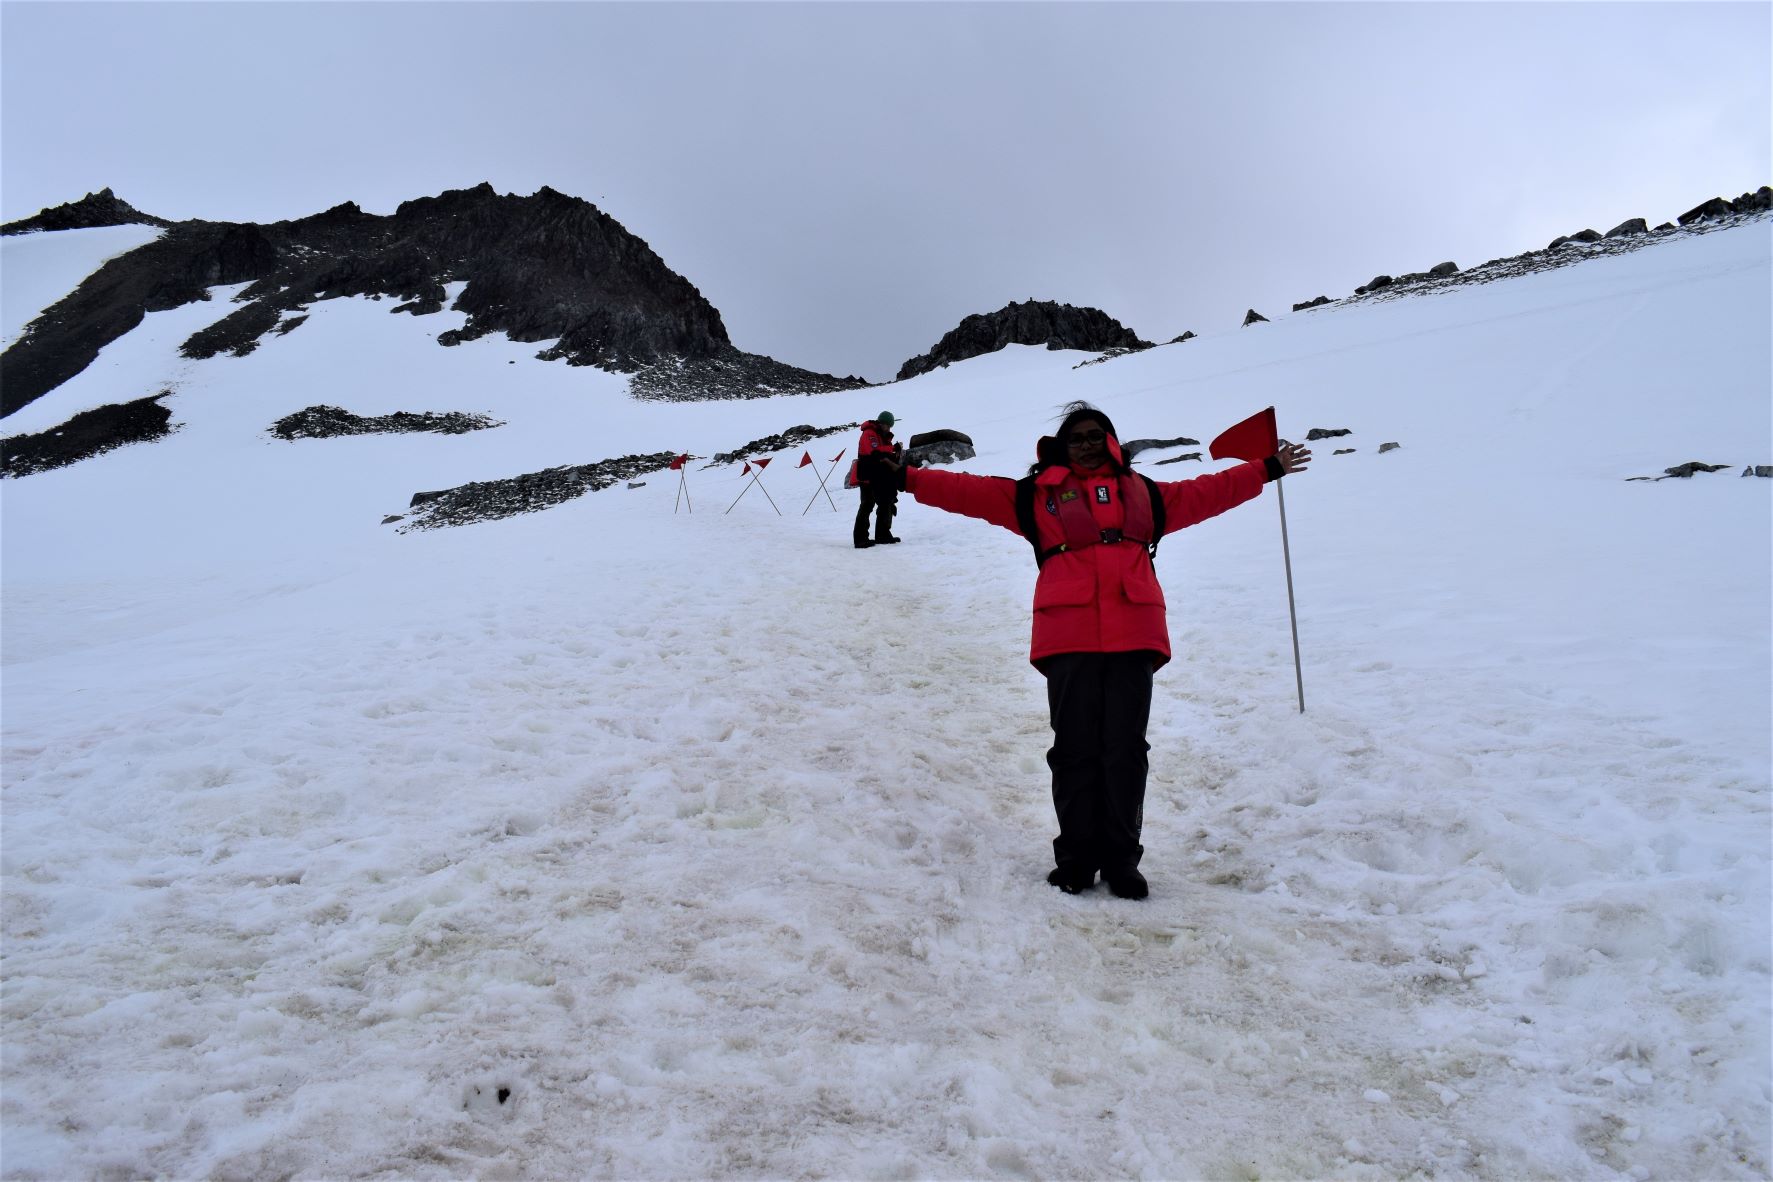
<point>1098,619</point>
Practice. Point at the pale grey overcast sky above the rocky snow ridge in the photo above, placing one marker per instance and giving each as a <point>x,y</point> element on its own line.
<point>847,182</point>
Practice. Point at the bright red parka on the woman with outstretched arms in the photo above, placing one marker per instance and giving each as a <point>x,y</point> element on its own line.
<point>1102,598</point>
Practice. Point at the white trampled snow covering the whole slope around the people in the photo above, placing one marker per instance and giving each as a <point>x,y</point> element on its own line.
<point>611,841</point>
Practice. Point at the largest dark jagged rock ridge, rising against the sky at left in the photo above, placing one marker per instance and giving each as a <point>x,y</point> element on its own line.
<point>536,268</point>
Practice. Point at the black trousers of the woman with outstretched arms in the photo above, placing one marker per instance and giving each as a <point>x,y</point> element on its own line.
<point>1100,704</point>
